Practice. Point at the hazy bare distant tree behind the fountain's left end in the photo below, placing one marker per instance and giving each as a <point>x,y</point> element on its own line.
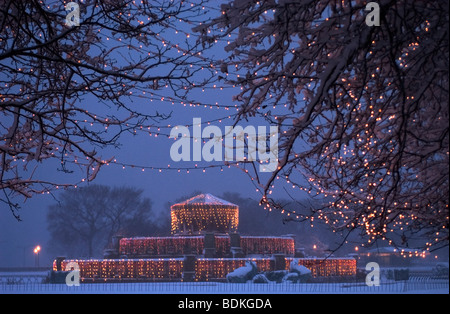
<point>85,219</point>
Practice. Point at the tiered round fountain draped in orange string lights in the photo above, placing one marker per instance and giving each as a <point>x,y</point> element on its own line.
<point>204,246</point>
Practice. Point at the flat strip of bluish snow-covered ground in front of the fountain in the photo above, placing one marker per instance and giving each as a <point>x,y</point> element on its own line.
<point>425,287</point>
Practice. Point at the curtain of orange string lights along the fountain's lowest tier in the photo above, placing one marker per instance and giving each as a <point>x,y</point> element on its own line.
<point>206,269</point>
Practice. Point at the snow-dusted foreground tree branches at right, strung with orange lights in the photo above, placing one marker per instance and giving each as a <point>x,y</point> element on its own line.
<point>362,110</point>
